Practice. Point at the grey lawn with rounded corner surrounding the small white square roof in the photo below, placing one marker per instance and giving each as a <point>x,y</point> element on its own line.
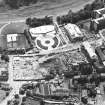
<point>14,28</point>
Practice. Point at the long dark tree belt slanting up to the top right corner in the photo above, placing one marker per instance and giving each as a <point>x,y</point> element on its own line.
<point>82,14</point>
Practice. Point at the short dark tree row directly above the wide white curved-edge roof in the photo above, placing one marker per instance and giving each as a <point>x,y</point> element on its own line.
<point>35,22</point>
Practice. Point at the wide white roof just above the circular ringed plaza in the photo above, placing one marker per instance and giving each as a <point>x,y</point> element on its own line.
<point>42,29</point>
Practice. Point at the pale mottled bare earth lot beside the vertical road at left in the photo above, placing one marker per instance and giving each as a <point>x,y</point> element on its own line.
<point>26,68</point>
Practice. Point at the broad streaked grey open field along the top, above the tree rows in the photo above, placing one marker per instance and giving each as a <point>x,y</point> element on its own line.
<point>46,7</point>
